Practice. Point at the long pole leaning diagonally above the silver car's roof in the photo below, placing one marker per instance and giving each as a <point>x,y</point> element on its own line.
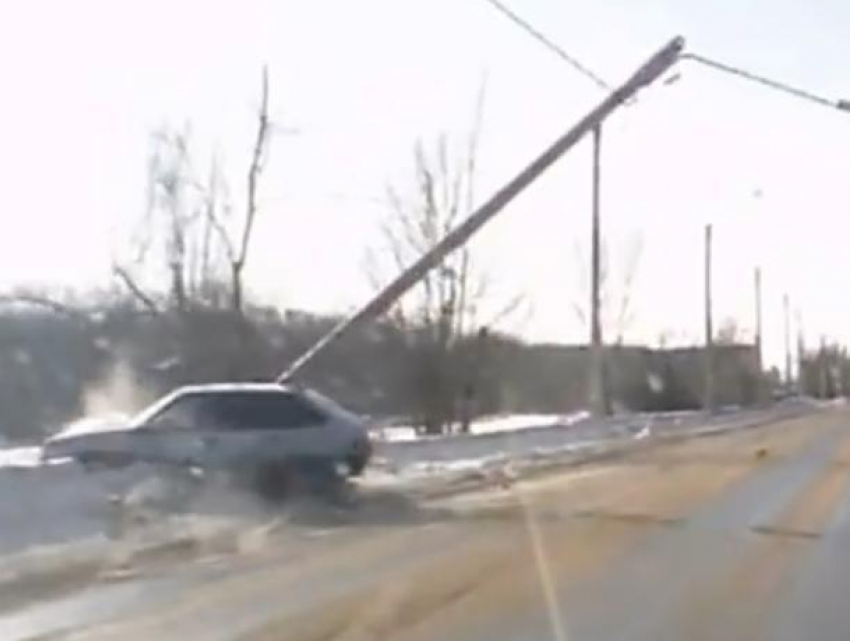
<point>657,65</point>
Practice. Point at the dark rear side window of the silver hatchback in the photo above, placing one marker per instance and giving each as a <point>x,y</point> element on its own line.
<point>265,411</point>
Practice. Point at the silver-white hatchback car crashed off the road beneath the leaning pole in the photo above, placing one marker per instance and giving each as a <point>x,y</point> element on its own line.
<point>233,425</point>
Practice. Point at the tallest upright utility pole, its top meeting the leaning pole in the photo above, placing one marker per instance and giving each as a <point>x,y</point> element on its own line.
<point>598,398</point>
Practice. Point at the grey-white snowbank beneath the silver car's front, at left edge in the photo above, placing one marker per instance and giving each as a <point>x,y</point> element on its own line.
<point>60,519</point>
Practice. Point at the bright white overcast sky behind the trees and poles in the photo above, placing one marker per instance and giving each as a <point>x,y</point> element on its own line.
<point>85,83</point>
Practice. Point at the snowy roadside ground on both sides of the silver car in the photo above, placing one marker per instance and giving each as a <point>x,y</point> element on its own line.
<point>51,511</point>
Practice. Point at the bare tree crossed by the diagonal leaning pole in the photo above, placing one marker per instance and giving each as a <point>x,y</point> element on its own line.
<point>442,316</point>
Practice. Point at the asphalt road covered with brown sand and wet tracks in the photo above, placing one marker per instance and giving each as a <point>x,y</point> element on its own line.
<point>740,536</point>
